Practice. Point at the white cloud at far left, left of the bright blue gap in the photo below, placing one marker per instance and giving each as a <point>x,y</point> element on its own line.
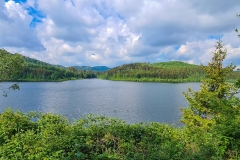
<point>15,30</point>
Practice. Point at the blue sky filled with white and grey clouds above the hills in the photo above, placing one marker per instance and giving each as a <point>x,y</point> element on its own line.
<point>115,32</point>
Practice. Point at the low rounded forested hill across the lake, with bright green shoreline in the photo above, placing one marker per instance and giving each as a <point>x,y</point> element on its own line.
<point>174,71</point>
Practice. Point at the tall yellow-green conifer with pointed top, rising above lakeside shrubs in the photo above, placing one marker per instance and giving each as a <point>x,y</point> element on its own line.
<point>216,103</point>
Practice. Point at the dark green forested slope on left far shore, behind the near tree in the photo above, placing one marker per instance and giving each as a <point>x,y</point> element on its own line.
<point>35,70</point>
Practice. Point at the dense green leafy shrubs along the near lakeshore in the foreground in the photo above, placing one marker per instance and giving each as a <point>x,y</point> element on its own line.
<point>47,136</point>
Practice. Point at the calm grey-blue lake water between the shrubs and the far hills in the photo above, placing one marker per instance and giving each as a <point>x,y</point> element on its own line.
<point>130,101</point>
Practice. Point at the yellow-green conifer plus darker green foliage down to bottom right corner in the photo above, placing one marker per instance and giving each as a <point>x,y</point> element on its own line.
<point>214,110</point>
